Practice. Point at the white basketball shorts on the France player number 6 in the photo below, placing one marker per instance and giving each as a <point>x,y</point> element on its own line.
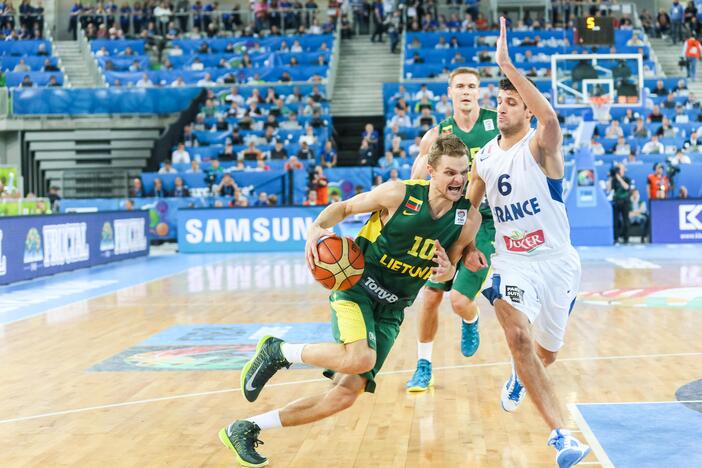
<point>544,290</point>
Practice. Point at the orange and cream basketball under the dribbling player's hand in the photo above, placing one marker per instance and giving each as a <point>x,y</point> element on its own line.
<point>340,264</point>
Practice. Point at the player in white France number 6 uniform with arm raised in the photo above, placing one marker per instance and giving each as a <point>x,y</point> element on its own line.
<point>536,270</point>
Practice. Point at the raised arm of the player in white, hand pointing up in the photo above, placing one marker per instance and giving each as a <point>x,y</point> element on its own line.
<point>546,145</point>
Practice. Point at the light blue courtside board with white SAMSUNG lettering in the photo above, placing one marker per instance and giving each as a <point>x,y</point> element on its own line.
<point>226,230</point>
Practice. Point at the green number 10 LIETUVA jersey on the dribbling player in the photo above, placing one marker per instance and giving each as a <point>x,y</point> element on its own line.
<point>398,254</point>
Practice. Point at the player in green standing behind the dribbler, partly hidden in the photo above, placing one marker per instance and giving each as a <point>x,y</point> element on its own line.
<point>475,127</point>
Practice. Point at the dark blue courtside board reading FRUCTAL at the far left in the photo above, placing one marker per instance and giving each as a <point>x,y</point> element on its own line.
<point>33,246</point>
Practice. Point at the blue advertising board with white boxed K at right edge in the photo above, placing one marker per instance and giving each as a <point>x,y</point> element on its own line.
<point>676,221</point>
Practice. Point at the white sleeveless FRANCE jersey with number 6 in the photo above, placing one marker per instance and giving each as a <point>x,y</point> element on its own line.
<point>527,207</point>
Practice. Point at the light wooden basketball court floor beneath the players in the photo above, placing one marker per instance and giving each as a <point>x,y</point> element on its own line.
<point>625,343</point>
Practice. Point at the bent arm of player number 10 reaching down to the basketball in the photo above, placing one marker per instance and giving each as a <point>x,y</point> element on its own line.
<point>386,197</point>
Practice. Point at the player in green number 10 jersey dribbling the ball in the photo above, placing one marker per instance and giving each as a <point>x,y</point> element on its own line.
<point>403,245</point>
